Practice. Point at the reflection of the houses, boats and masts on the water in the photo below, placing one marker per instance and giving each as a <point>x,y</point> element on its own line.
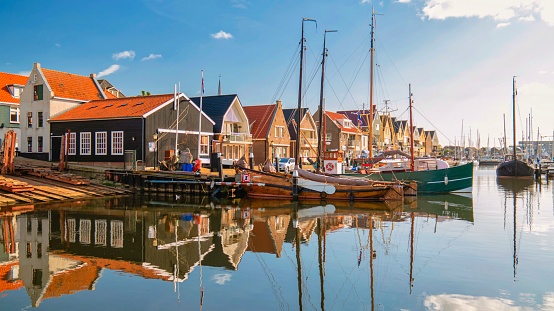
<point>57,250</point>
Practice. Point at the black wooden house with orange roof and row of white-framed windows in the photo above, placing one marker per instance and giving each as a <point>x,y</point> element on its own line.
<point>113,131</point>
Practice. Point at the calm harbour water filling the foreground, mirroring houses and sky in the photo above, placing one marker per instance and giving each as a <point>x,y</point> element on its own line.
<point>446,252</point>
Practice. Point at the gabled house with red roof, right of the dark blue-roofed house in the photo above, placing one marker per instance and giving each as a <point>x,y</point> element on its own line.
<point>270,135</point>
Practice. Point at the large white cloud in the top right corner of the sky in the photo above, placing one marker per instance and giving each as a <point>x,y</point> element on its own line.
<point>499,10</point>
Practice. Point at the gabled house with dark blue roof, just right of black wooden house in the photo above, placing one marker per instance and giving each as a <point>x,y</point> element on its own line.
<point>231,129</point>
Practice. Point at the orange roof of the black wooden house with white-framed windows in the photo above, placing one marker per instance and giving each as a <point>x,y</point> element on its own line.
<point>115,108</point>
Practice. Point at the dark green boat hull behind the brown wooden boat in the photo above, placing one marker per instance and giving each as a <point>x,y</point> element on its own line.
<point>452,179</point>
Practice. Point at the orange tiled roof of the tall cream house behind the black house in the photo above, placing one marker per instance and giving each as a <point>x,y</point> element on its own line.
<point>72,86</point>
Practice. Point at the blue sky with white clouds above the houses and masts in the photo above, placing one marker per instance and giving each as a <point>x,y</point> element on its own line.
<point>459,55</point>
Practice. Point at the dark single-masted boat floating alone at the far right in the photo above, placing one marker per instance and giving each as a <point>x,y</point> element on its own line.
<point>512,167</point>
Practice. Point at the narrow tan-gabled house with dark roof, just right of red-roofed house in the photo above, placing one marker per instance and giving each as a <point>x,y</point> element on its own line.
<point>308,132</point>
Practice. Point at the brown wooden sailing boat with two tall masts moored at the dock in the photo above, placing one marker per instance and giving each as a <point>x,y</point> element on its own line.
<point>304,185</point>
